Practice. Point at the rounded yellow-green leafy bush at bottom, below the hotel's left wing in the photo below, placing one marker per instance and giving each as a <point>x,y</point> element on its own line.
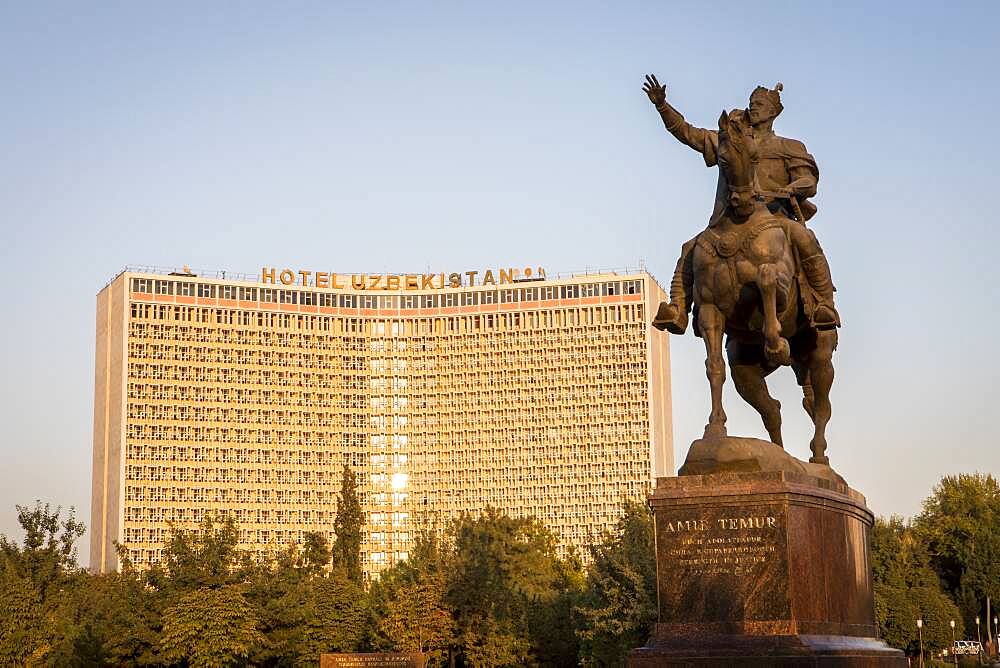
<point>210,628</point>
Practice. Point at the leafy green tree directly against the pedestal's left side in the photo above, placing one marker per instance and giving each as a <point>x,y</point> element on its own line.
<point>619,606</point>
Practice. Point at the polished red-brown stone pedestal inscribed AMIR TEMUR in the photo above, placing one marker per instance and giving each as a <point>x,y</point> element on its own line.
<point>763,569</point>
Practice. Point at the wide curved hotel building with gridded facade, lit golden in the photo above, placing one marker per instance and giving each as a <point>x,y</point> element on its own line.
<point>537,395</point>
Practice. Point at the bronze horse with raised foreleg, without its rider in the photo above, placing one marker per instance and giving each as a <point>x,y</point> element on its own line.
<point>747,285</point>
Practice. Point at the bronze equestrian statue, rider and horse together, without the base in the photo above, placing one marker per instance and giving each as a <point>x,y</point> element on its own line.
<point>756,273</point>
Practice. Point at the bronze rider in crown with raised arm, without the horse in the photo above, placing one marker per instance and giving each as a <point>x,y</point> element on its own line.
<point>785,175</point>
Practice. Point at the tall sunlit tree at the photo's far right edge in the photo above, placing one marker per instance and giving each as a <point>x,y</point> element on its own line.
<point>960,526</point>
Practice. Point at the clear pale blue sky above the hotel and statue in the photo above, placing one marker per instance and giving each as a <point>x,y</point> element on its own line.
<point>393,137</point>
